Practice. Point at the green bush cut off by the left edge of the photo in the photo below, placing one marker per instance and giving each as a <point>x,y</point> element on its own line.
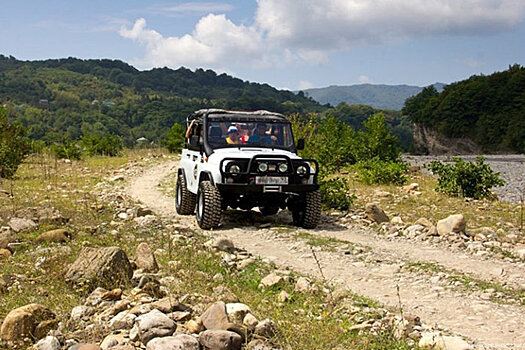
<point>14,146</point>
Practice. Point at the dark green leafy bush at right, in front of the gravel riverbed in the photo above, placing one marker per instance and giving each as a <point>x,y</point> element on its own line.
<point>466,179</point>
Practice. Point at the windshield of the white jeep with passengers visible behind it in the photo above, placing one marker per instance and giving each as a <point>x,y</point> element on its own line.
<point>245,132</point>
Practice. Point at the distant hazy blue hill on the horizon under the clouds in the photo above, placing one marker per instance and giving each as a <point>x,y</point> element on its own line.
<point>378,96</point>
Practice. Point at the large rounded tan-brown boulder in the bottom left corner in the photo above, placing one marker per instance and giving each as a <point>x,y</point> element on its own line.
<point>23,321</point>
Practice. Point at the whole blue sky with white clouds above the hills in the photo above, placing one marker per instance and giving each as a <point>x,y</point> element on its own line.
<point>289,44</point>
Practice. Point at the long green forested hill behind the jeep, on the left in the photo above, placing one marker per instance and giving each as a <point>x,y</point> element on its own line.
<point>72,97</point>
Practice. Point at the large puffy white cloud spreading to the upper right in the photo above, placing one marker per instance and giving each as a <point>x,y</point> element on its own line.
<point>286,32</point>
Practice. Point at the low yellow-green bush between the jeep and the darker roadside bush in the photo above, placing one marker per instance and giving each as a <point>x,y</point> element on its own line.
<point>377,171</point>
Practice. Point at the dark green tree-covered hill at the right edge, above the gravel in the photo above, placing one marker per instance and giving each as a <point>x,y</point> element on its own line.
<point>489,110</point>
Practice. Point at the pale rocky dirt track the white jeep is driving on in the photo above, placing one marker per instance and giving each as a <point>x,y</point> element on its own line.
<point>372,266</point>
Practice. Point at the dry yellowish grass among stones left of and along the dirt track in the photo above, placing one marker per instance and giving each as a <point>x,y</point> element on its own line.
<point>307,321</point>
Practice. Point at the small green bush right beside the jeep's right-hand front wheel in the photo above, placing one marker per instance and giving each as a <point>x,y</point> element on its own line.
<point>335,193</point>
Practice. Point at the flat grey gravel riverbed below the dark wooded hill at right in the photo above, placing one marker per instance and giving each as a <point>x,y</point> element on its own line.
<point>511,168</point>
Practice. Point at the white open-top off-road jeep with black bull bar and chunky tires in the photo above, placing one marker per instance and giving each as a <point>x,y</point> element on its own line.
<point>245,160</point>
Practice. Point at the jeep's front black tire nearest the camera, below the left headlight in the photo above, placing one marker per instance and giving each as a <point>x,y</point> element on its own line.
<point>209,206</point>
